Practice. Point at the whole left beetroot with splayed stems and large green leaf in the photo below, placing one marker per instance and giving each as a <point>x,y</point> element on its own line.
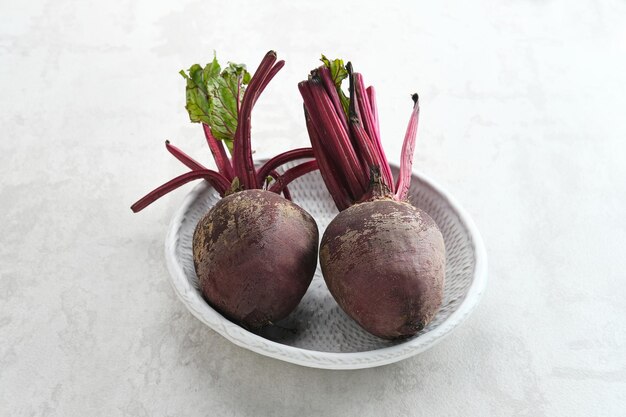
<point>254,252</point>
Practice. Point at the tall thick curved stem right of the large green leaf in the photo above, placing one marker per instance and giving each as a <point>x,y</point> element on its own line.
<point>242,159</point>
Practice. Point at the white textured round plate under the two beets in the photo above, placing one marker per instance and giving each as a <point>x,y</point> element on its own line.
<point>325,336</point>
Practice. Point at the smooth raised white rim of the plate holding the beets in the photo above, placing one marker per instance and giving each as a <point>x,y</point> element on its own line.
<point>317,359</point>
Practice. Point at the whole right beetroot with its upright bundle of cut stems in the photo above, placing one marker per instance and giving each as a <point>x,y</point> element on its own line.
<point>383,260</point>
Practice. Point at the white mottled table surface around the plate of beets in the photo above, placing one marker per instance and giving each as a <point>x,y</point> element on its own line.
<point>523,120</point>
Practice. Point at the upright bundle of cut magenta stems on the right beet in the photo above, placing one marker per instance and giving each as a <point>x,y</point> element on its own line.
<point>347,144</point>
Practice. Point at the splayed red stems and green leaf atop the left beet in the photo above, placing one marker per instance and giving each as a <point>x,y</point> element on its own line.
<point>221,100</point>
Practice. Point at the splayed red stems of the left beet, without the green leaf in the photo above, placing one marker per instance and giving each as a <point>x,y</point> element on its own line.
<point>238,172</point>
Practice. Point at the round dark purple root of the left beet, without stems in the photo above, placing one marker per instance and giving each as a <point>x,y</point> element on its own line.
<point>255,254</point>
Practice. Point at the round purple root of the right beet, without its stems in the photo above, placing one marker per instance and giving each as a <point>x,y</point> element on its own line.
<point>384,263</point>
